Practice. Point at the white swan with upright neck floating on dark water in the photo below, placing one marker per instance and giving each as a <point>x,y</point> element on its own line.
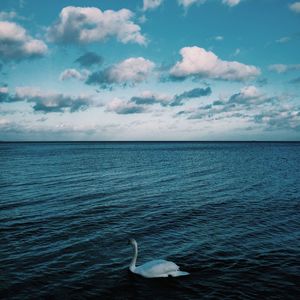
<point>154,268</point>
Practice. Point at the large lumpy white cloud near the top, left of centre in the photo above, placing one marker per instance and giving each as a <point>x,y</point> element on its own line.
<point>90,24</point>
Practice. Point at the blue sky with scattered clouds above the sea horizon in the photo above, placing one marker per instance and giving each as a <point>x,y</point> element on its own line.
<point>149,70</point>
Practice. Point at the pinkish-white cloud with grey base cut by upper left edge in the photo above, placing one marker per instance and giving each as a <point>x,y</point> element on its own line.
<point>16,44</point>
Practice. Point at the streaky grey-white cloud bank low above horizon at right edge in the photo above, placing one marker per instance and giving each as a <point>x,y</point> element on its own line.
<point>254,107</point>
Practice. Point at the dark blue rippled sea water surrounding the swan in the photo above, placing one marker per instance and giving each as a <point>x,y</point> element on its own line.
<point>228,213</point>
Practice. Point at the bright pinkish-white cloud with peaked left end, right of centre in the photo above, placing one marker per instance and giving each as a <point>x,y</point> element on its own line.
<point>199,62</point>
